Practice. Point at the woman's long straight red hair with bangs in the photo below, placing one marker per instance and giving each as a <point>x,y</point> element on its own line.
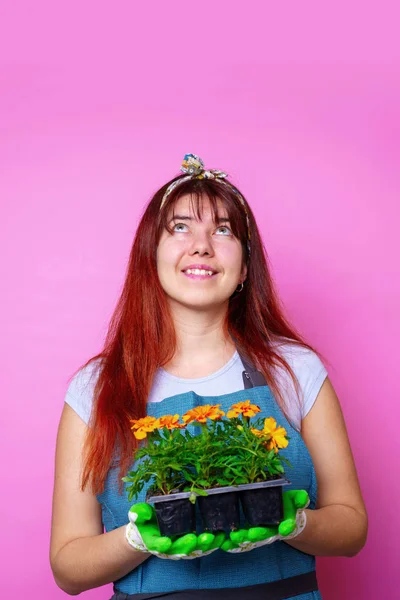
<point>141,335</point>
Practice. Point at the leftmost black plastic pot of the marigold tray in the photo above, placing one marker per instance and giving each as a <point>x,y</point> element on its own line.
<point>175,515</point>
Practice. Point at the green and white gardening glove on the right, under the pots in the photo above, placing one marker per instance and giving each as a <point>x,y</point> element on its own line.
<point>294,521</point>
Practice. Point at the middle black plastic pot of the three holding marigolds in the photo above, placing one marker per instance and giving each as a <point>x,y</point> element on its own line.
<point>219,511</point>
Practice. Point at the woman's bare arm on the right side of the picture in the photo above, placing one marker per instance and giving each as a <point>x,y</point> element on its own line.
<point>338,526</point>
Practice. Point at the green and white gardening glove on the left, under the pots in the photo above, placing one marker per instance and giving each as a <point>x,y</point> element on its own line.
<point>143,533</point>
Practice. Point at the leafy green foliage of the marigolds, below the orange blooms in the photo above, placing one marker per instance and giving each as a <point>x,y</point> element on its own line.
<point>222,452</point>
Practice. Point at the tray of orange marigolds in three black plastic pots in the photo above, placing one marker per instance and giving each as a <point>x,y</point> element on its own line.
<point>215,459</point>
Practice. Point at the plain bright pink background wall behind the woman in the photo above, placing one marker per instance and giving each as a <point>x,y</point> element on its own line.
<point>98,104</point>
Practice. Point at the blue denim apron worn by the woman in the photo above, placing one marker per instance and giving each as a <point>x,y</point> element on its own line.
<point>271,572</point>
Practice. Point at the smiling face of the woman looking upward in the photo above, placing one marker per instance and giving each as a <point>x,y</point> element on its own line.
<point>200,263</point>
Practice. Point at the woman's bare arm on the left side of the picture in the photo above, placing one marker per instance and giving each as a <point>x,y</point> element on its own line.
<point>81,555</point>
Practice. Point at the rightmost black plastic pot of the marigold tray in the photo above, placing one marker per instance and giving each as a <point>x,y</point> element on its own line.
<point>262,502</point>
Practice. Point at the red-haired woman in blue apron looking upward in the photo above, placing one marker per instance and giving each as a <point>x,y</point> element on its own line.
<point>198,312</point>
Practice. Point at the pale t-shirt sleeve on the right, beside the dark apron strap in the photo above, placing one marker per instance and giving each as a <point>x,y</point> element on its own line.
<point>310,373</point>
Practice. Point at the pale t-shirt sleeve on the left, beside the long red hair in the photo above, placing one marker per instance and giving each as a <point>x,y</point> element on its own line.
<point>79,394</point>
